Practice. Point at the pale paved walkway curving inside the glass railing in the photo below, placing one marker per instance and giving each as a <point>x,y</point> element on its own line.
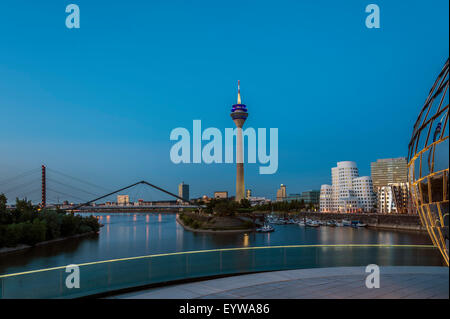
<point>318,283</point>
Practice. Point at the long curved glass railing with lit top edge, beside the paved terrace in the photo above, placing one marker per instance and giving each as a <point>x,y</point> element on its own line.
<point>116,274</point>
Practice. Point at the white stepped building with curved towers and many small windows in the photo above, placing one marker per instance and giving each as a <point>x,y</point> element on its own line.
<point>349,193</point>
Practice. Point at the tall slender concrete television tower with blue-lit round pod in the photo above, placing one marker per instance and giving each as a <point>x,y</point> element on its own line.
<point>239,115</point>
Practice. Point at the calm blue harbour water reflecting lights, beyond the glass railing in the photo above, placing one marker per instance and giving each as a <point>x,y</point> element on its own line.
<point>129,235</point>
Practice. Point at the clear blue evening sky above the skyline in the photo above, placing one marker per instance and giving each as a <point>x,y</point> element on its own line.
<point>100,102</point>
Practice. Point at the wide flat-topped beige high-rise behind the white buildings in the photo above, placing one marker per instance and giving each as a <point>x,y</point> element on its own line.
<point>387,171</point>
